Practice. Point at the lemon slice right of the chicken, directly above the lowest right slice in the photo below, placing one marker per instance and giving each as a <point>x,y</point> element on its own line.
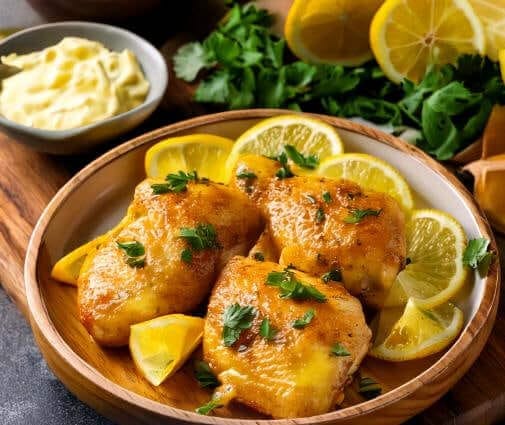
<point>435,271</point>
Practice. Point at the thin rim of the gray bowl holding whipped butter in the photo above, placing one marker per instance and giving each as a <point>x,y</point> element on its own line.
<point>63,134</point>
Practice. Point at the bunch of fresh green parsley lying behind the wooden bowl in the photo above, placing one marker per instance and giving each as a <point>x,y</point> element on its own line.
<point>244,66</point>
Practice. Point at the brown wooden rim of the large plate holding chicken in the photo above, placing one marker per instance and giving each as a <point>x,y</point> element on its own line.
<point>40,316</point>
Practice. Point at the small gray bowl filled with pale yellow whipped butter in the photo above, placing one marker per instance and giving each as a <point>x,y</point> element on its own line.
<point>75,85</point>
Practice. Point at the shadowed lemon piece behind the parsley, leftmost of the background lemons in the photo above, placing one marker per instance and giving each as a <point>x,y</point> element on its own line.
<point>331,31</point>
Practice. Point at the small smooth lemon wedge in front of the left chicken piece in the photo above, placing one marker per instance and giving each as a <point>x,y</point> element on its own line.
<point>159,347</point>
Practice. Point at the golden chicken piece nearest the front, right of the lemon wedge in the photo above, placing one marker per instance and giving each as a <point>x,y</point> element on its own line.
<point>283,343</point>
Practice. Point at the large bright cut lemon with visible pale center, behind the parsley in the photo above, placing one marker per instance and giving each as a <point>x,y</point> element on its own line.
<point>408,36</point>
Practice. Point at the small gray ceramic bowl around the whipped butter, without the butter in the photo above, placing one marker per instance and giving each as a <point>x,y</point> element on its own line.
<point>85,138</point>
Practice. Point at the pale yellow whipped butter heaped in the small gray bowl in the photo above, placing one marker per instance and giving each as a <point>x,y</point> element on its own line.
<point>71,84</point>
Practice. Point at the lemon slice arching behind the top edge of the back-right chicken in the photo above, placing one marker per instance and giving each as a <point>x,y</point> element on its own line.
<point>370,173</point>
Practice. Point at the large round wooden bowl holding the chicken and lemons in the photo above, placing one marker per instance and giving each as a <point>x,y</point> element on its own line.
<point>106,378</point>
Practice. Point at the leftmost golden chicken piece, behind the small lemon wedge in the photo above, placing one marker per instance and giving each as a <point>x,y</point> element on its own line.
<point>166,259</point>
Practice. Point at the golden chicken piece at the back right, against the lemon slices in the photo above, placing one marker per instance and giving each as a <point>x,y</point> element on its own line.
<point>323,226</point>
